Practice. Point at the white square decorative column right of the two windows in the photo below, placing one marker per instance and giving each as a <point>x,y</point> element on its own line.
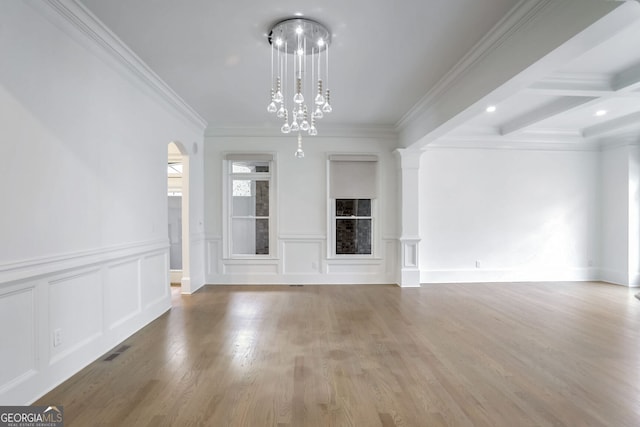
<point>410,216</point>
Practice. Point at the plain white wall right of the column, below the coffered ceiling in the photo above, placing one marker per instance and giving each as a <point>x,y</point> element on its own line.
<point>524,215</point>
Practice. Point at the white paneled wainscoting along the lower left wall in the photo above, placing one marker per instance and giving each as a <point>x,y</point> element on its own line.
<point>61,313</point>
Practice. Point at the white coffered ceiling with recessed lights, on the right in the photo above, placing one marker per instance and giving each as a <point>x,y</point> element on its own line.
<point>559,110</point>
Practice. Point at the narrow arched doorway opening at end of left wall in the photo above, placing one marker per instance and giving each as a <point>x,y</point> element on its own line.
<point>178,215</point>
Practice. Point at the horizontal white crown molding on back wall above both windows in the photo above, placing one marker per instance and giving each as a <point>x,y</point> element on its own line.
<point>342,131</point>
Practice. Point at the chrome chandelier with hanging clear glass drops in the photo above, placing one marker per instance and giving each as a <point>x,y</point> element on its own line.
<point>295,79</point>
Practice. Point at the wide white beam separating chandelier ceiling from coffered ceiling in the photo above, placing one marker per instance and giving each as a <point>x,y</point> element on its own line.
<point>540,38</point>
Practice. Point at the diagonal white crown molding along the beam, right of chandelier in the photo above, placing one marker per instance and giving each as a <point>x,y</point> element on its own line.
<point>520,15</point>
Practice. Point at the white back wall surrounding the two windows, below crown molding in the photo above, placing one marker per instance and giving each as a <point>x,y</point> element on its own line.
<point>300,253</point>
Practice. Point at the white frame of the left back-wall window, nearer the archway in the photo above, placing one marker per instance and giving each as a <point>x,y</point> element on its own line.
<point>228,178</point>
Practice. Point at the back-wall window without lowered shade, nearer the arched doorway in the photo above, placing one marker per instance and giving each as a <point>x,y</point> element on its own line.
<point>249,207</point>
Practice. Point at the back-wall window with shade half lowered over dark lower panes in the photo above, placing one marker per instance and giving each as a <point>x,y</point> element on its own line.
<point>352,192</point>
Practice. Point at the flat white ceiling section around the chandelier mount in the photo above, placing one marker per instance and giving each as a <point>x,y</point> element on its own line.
<point>385,55</point>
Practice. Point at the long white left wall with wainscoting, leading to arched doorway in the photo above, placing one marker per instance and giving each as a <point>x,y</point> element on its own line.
<point>84,222</point>
